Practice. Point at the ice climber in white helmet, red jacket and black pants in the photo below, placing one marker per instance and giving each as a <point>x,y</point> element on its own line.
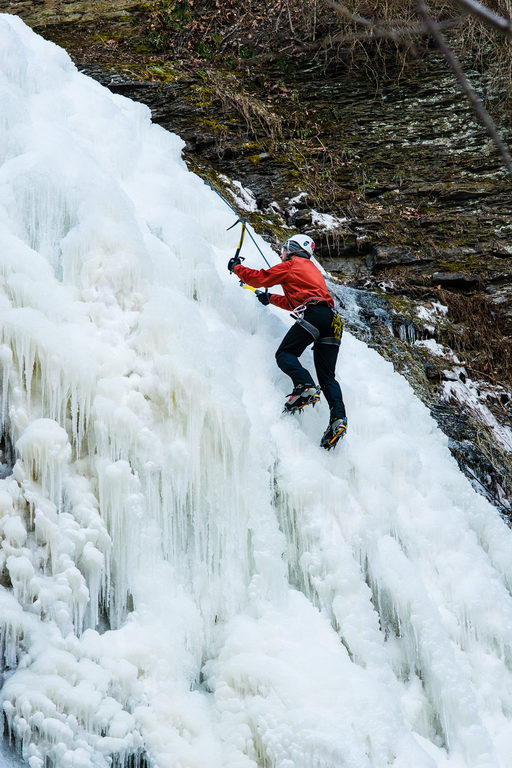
<point>317,322</point>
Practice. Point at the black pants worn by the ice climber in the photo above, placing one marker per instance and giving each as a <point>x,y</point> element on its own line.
<point>324,356</point>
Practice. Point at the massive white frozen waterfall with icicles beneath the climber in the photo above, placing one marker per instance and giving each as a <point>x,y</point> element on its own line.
<point>184,573</point>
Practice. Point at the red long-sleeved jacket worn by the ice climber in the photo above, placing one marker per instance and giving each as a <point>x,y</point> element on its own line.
<point>300,279</point>
